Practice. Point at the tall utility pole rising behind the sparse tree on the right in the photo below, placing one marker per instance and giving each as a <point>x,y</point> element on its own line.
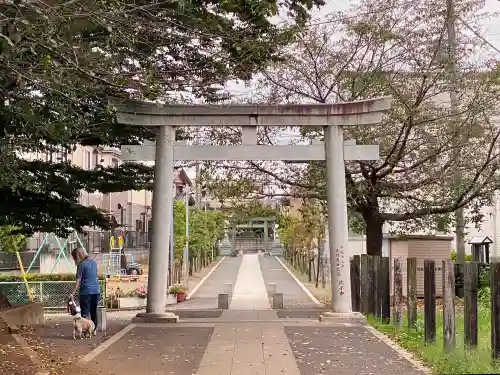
<point>452,71</point>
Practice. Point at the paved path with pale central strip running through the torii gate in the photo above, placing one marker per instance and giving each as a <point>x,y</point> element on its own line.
<point>249,338</point>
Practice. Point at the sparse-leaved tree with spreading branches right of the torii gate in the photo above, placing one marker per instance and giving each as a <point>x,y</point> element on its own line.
<point>398,50</point>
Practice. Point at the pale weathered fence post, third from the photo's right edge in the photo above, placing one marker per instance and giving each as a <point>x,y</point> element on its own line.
<point>449,335</point>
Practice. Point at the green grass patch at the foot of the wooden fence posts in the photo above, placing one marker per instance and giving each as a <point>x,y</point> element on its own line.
<point>462,360</point>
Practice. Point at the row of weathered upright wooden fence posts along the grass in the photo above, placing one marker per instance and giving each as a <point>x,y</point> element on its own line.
<point>371,295</point>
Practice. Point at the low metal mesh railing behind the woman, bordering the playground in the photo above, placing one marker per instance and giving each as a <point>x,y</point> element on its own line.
<point>53,294</point>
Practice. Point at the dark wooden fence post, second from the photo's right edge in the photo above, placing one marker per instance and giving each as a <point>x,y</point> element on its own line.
<point>470,304</point>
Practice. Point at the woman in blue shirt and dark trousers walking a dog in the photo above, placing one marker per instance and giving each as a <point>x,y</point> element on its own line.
<point>87,284</point>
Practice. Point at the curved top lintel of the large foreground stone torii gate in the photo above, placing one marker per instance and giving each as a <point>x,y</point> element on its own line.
<point>362,112</point>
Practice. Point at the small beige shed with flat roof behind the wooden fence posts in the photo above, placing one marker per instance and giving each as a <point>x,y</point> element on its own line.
<point>437,248</point>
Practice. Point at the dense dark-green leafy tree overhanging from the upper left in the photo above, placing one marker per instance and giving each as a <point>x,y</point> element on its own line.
<point>61,60</point>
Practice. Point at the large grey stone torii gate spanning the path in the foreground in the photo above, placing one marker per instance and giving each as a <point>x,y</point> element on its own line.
<point>332,117</point>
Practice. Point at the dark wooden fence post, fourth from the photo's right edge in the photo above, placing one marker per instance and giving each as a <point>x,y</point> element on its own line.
<point>429,301</point>
